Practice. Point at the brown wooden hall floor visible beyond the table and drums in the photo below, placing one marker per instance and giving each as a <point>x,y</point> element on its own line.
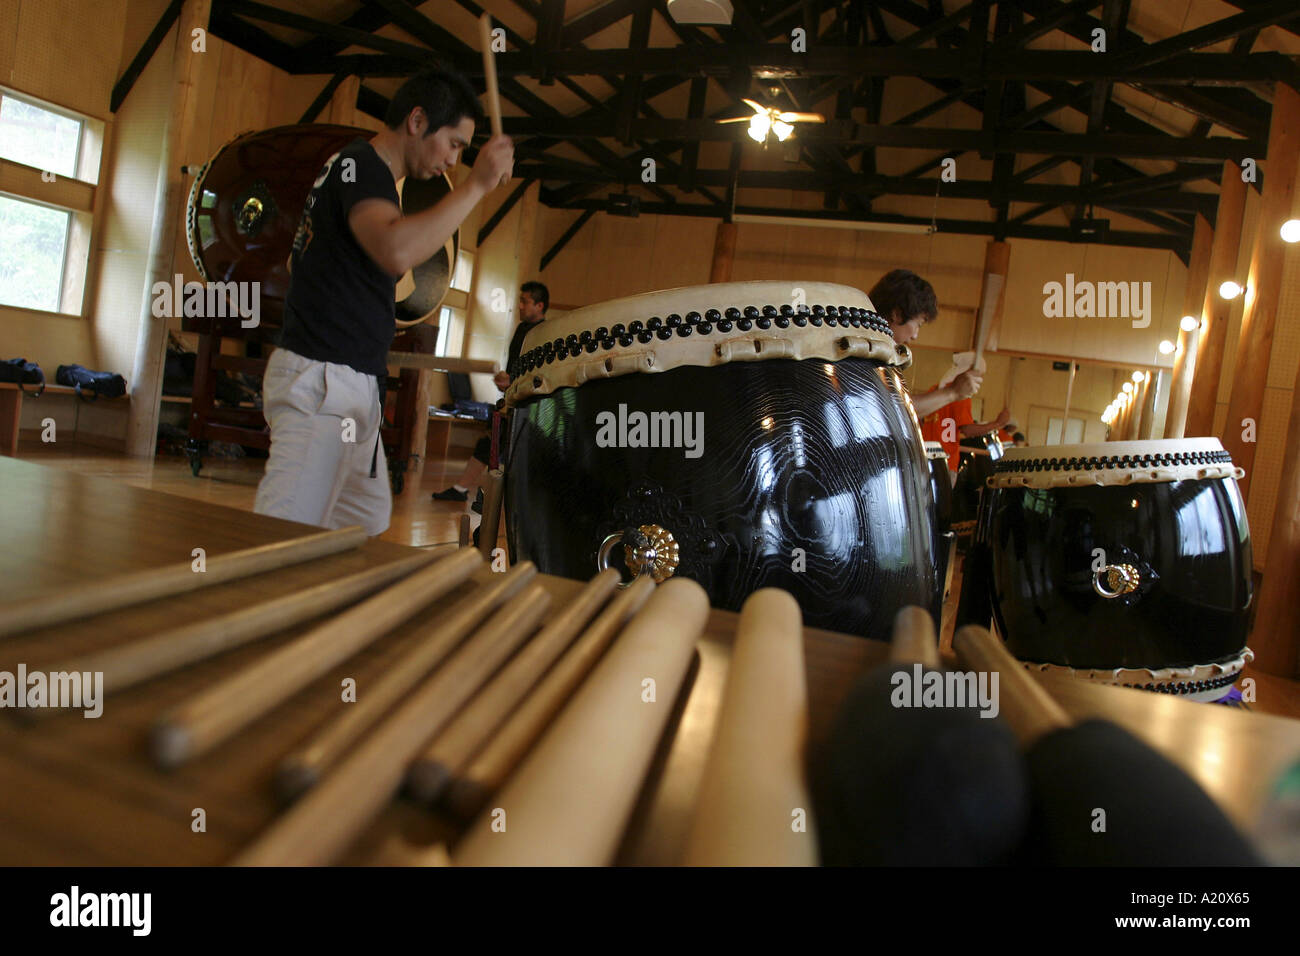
<point>418,521</point>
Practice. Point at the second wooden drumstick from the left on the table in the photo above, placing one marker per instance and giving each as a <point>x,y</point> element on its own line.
<point>131,664</point>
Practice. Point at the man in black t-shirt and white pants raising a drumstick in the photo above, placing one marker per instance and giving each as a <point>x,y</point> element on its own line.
<point>322,390</point>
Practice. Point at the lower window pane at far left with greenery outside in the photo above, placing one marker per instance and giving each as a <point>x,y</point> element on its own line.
<point>33,254</point>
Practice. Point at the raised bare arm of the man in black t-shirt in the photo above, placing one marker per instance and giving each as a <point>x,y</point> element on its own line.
<point>398,244</point>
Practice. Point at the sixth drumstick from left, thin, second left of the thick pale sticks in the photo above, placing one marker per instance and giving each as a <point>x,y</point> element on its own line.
<point>463,737</point>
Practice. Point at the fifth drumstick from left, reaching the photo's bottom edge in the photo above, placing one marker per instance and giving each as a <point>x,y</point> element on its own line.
<point>331,816</point>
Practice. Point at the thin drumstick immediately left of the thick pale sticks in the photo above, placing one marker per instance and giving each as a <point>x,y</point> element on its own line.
<point>467,791</point>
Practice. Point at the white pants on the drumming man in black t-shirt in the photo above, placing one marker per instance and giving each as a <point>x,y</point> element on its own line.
<point>324,422</point>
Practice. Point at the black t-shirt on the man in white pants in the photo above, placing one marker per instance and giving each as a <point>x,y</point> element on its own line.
<point>341,306</point>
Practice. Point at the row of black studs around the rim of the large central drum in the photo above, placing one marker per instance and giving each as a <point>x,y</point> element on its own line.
<point>704,325</point>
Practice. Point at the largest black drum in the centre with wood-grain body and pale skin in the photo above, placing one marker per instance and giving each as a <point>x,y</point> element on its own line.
<point>720,434</point>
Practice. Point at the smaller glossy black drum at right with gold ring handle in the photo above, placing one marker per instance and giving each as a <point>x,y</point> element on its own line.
<point>1125,563</point>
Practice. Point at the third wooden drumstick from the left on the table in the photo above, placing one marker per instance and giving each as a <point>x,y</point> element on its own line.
<point>241,699</point>
